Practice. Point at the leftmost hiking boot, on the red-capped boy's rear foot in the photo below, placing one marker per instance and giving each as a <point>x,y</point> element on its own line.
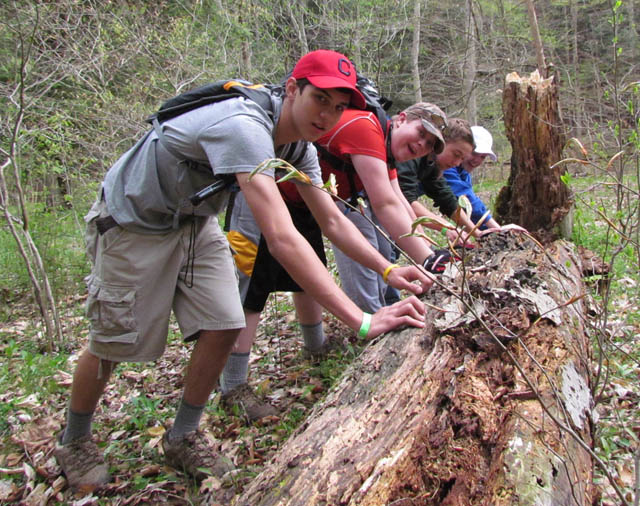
<point>82,463</point>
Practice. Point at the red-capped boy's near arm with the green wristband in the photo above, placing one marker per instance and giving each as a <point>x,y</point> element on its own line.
<point>298,258</point>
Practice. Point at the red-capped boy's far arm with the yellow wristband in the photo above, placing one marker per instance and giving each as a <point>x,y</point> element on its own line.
<point>346,236</point>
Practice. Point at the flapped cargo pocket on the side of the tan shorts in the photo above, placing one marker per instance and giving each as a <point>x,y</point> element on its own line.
<point>111,310</point>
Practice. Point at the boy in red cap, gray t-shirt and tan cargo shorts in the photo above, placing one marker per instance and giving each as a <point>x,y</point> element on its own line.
<point>153,251</point>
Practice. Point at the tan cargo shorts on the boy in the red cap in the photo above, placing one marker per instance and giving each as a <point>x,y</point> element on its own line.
<point>137,279</point>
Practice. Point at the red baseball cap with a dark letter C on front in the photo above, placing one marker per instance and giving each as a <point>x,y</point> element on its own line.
<point>329,69</point>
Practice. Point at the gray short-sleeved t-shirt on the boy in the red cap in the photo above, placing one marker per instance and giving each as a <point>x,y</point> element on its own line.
<point>147,189</point>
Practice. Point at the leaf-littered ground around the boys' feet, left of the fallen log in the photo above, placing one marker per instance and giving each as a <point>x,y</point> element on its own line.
<point>139,405</point>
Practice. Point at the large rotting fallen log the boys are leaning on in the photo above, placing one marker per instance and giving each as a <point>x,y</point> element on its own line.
<point>442,415</point>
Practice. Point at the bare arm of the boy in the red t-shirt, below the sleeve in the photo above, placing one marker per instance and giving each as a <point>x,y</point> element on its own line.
<point>387,207</point>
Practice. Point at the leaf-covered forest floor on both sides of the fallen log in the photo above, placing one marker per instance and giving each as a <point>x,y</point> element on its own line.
<point>140,402</point>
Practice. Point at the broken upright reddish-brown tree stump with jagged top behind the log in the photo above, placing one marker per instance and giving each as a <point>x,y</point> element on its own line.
<point>535,197</point>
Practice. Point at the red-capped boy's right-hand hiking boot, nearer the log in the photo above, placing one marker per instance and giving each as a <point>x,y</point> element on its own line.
<point>194,455</point>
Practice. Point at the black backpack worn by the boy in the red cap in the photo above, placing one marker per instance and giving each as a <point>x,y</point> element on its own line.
<point>209,94</point>
